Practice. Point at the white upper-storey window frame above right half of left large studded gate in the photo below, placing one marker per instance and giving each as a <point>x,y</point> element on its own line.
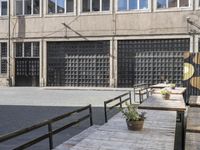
<point>95,12</point>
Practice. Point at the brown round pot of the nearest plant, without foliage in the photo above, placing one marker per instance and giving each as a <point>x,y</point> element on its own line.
<point>135,125</point>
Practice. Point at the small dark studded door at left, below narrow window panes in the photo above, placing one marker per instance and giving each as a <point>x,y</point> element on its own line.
<point>27,71</point>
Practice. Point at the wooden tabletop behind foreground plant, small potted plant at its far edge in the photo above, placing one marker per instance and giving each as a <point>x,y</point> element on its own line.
<point>156,102</point>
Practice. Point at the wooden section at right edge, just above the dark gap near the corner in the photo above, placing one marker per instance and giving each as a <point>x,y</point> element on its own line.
<point>193,120</point>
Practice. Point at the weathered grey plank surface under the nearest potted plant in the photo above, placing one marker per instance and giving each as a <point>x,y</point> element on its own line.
<point>158,134</point>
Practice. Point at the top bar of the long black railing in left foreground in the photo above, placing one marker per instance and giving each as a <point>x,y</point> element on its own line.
<point>39,125</point>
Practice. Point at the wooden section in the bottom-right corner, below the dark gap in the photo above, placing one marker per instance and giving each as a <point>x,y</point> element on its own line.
<point>192,141</point>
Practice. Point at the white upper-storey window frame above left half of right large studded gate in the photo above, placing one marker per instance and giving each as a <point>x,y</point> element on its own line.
<point>133,10</point>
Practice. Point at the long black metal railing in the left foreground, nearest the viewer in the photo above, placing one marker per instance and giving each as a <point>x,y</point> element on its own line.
<point>51,132</point>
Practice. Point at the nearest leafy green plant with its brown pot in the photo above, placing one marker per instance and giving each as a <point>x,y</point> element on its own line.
<point>134,119</point>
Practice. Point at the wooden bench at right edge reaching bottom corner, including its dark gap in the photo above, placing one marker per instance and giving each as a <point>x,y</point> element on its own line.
<point>192,141</point>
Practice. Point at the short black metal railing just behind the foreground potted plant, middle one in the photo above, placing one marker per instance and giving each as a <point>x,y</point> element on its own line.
<point>122,99</point>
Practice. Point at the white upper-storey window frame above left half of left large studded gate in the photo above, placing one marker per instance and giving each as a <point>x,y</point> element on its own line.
<point>65,8</point>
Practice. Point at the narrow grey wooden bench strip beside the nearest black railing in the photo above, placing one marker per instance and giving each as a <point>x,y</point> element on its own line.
<point>77,138</point>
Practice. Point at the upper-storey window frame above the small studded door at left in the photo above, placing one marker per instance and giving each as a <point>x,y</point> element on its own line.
<point>23,9</point>
